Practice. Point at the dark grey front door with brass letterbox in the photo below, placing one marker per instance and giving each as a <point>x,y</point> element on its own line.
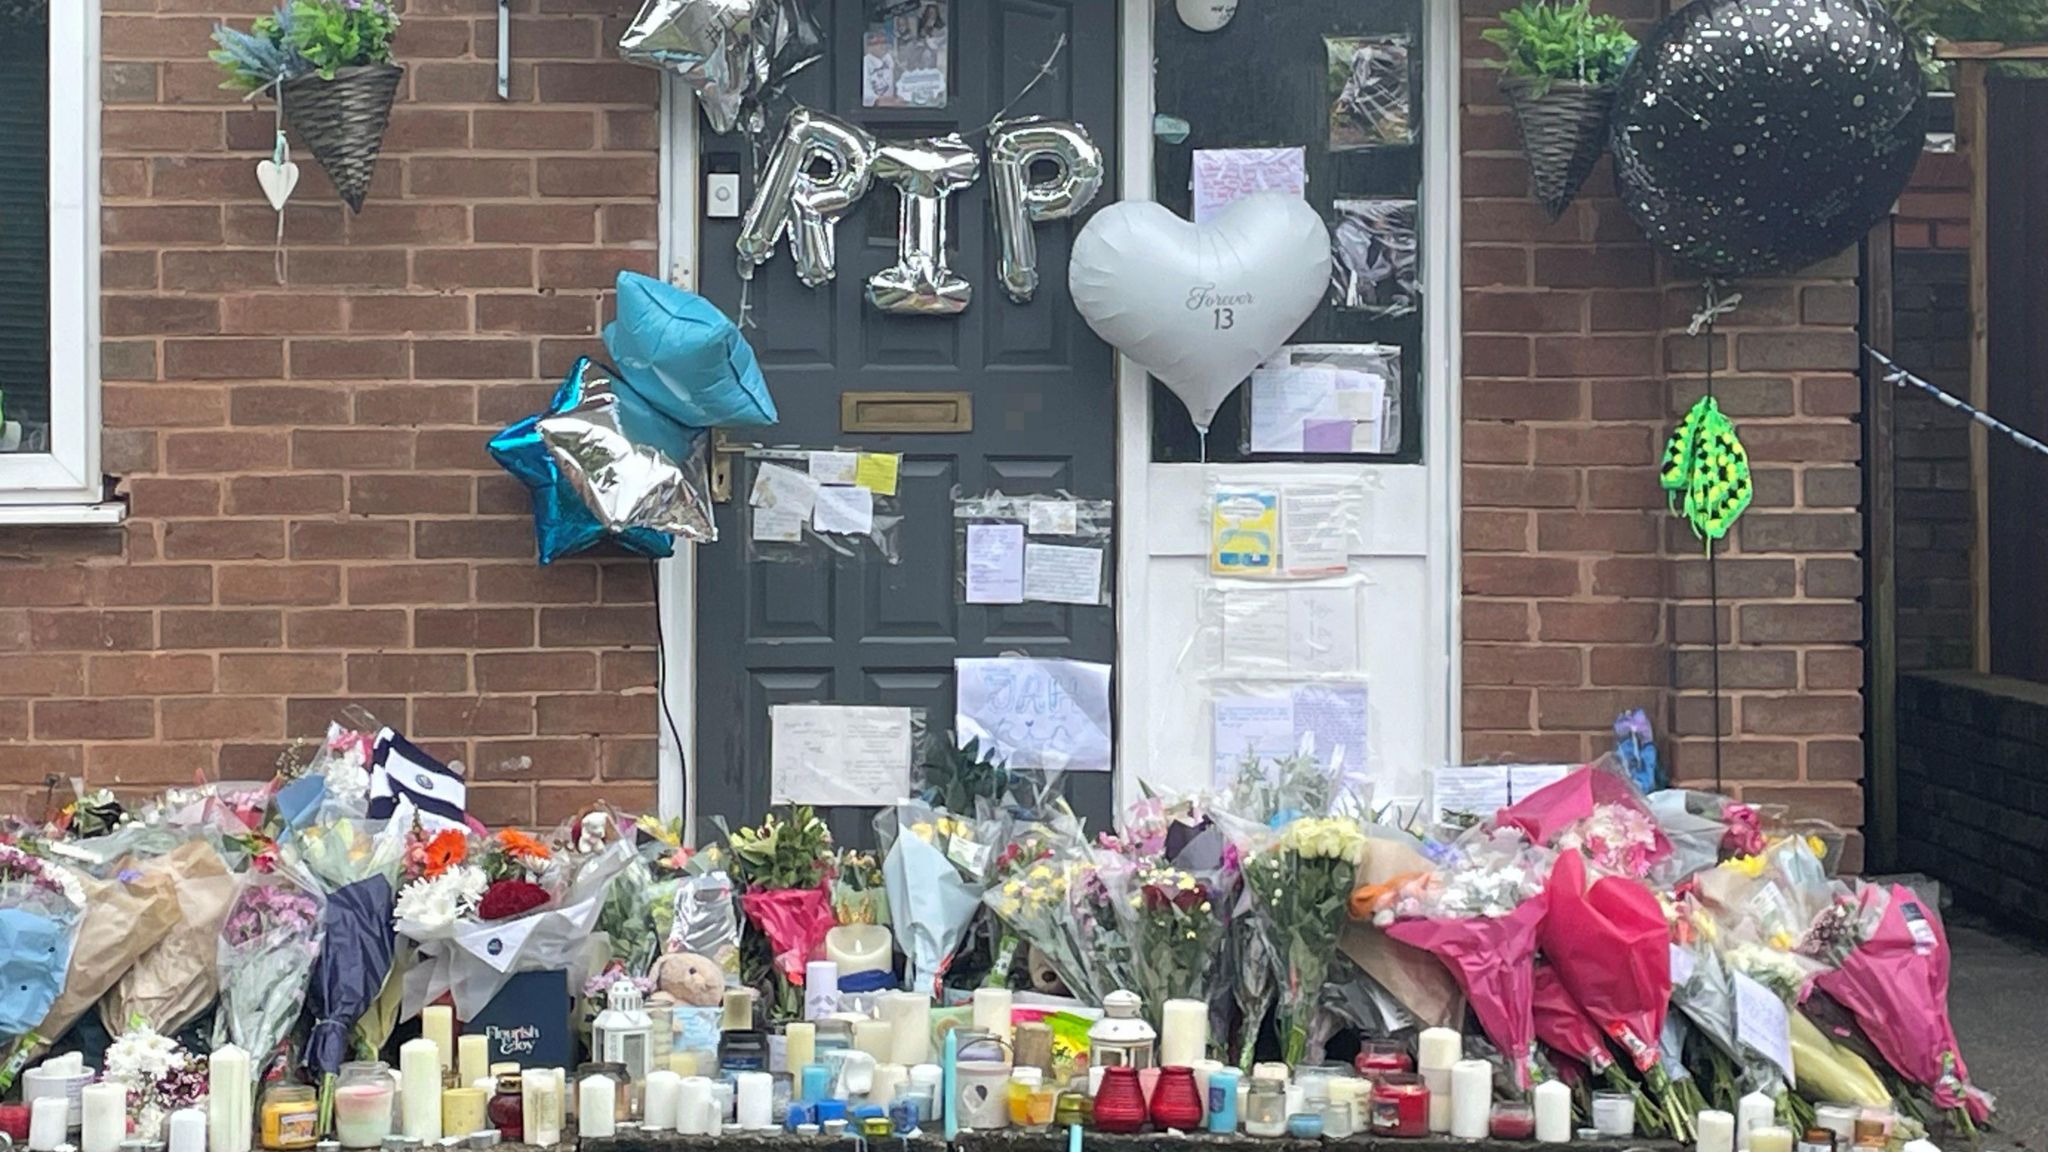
<point>857,630</point>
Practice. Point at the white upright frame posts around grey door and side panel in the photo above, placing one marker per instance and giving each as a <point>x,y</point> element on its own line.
<point>679,241</point>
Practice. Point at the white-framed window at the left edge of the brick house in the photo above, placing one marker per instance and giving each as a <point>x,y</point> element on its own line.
<point>48,259</point>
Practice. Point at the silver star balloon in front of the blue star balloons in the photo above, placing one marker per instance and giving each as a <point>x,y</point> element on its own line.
<point>626,485</point>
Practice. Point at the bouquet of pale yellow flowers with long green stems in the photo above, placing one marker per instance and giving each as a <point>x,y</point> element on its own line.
<point>1299,884</point>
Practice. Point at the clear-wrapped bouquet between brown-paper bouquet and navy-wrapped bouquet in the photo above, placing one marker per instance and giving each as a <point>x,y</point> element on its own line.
<point>267,954</point>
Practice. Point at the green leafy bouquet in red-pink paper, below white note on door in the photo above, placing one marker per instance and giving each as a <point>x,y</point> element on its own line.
<point>785,874</point>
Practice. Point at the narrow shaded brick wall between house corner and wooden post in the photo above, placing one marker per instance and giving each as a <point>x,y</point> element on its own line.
<point>1930,442</point>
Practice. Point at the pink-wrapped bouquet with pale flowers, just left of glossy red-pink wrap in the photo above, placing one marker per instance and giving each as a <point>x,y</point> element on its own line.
<point>1480,915</point>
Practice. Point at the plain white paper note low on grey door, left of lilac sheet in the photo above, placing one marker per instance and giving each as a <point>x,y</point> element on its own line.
<point>839,753</point>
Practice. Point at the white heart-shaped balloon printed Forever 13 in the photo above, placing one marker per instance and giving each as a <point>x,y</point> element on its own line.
<point>1201,304</point>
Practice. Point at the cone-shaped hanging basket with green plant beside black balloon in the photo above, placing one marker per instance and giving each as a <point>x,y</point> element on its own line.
<point>1560,81</point>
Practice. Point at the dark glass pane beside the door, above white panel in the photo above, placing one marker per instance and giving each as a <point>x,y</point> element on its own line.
<point>1345,83</point>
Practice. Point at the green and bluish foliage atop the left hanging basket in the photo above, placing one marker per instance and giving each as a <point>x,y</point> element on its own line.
<point>306,36</point>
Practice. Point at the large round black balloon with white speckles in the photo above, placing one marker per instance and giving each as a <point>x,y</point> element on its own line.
<point>1756,136</point>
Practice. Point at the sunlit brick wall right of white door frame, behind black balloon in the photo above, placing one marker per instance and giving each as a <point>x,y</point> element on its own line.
<point>1584,598</point>
